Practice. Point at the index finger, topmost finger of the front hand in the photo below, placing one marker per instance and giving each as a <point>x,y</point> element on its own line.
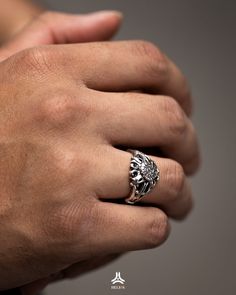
<point>128,66</point>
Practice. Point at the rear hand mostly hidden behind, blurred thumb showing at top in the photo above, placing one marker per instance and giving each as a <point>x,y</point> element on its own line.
<point>51,28</point>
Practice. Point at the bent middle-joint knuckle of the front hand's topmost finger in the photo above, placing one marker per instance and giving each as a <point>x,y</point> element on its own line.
<point>156,60</point>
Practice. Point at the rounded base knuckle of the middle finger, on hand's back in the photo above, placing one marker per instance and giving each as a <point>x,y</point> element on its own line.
<point>62,108</point>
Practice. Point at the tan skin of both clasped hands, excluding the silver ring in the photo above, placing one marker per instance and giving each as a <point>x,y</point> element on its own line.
<point>65,110</point>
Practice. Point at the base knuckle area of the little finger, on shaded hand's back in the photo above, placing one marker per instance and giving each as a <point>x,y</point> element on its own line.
<point>68,228</point>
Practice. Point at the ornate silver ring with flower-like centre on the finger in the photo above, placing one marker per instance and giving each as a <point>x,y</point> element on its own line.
<point>144,175</point>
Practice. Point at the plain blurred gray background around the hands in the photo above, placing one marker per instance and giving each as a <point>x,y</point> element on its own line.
<point>199,258</point>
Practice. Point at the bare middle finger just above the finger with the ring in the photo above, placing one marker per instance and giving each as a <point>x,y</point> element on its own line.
<point>139,120</point>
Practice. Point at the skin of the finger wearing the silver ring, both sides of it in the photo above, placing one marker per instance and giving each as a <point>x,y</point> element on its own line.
<point>172,193</point>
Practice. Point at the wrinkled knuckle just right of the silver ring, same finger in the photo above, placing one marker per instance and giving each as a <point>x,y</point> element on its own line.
<point>175,180</point>
